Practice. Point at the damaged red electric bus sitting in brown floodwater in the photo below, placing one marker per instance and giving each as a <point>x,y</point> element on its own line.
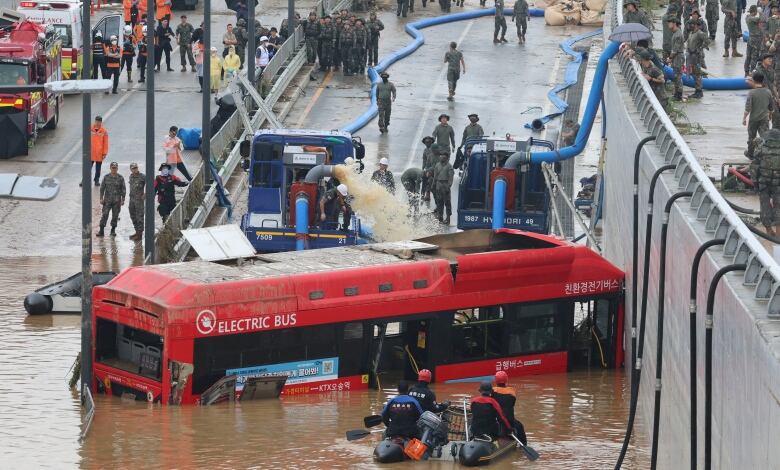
<point>463,305</point>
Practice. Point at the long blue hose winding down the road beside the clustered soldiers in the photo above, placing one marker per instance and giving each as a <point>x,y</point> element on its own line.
<point>413,30</point>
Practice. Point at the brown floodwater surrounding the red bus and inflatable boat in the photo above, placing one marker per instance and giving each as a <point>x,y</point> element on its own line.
<point>574,420</point>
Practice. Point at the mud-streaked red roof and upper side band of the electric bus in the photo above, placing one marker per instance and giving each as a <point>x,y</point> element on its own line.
<point>435,273</point>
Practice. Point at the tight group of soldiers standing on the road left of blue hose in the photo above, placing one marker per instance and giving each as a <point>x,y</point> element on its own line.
<point>342,40</point>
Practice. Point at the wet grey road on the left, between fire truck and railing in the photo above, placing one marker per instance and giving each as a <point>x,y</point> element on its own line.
<point>53,228</point>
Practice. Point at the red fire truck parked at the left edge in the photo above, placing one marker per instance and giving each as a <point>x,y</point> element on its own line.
<point>30,53</point>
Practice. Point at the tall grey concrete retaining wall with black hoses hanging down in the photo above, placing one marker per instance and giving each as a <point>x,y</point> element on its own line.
<point>746,344</point>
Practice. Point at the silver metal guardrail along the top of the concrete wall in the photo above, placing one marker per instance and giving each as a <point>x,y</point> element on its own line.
<point>707,203</point>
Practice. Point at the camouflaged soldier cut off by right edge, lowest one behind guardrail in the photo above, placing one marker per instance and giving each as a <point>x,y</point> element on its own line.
<point>768,156</point>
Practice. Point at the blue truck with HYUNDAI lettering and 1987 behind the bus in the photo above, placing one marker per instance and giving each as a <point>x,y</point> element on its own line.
<point>527,205</point>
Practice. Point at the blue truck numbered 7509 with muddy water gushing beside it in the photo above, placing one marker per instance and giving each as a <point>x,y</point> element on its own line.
<point>279,159</point>
